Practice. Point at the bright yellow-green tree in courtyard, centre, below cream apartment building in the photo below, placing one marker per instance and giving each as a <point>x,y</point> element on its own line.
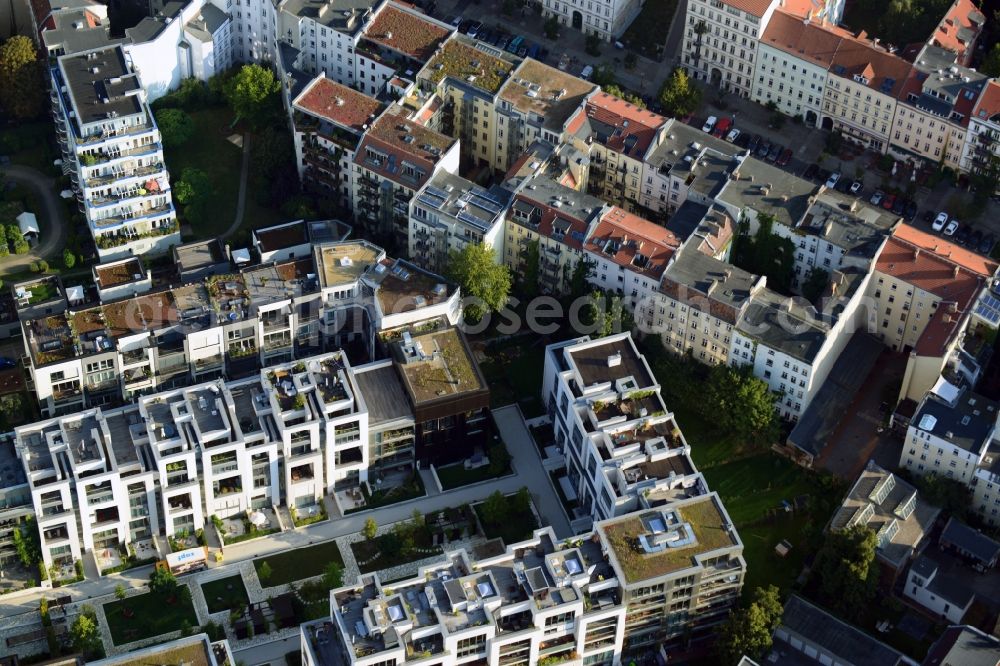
<point>475,269</point>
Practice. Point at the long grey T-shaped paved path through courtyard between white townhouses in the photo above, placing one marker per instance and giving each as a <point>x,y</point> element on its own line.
<point>528,472</point>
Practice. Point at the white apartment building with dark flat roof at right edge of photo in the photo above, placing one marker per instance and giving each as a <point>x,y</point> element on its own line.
<point>950,433</point>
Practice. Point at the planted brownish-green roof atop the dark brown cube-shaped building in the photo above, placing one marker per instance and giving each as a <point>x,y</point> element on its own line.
<point>438,364</point>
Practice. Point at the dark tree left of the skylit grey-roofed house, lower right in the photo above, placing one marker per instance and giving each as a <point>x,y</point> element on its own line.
<point>846,570</point>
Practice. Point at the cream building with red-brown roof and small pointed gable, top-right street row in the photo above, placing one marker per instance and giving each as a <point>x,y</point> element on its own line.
<point>861,92</point>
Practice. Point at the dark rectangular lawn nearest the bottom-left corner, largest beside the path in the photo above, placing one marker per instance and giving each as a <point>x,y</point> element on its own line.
<point>149,615</point>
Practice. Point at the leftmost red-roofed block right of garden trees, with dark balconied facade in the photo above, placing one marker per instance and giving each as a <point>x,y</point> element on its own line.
<point>329,120</point>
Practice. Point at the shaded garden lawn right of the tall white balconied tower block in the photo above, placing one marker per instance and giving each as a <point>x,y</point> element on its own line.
<point>210,150</point>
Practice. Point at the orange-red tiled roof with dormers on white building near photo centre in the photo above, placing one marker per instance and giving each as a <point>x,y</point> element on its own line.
<point>637,239</point>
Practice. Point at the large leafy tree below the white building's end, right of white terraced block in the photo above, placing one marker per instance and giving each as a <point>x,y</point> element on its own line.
<point>740,403</point>
